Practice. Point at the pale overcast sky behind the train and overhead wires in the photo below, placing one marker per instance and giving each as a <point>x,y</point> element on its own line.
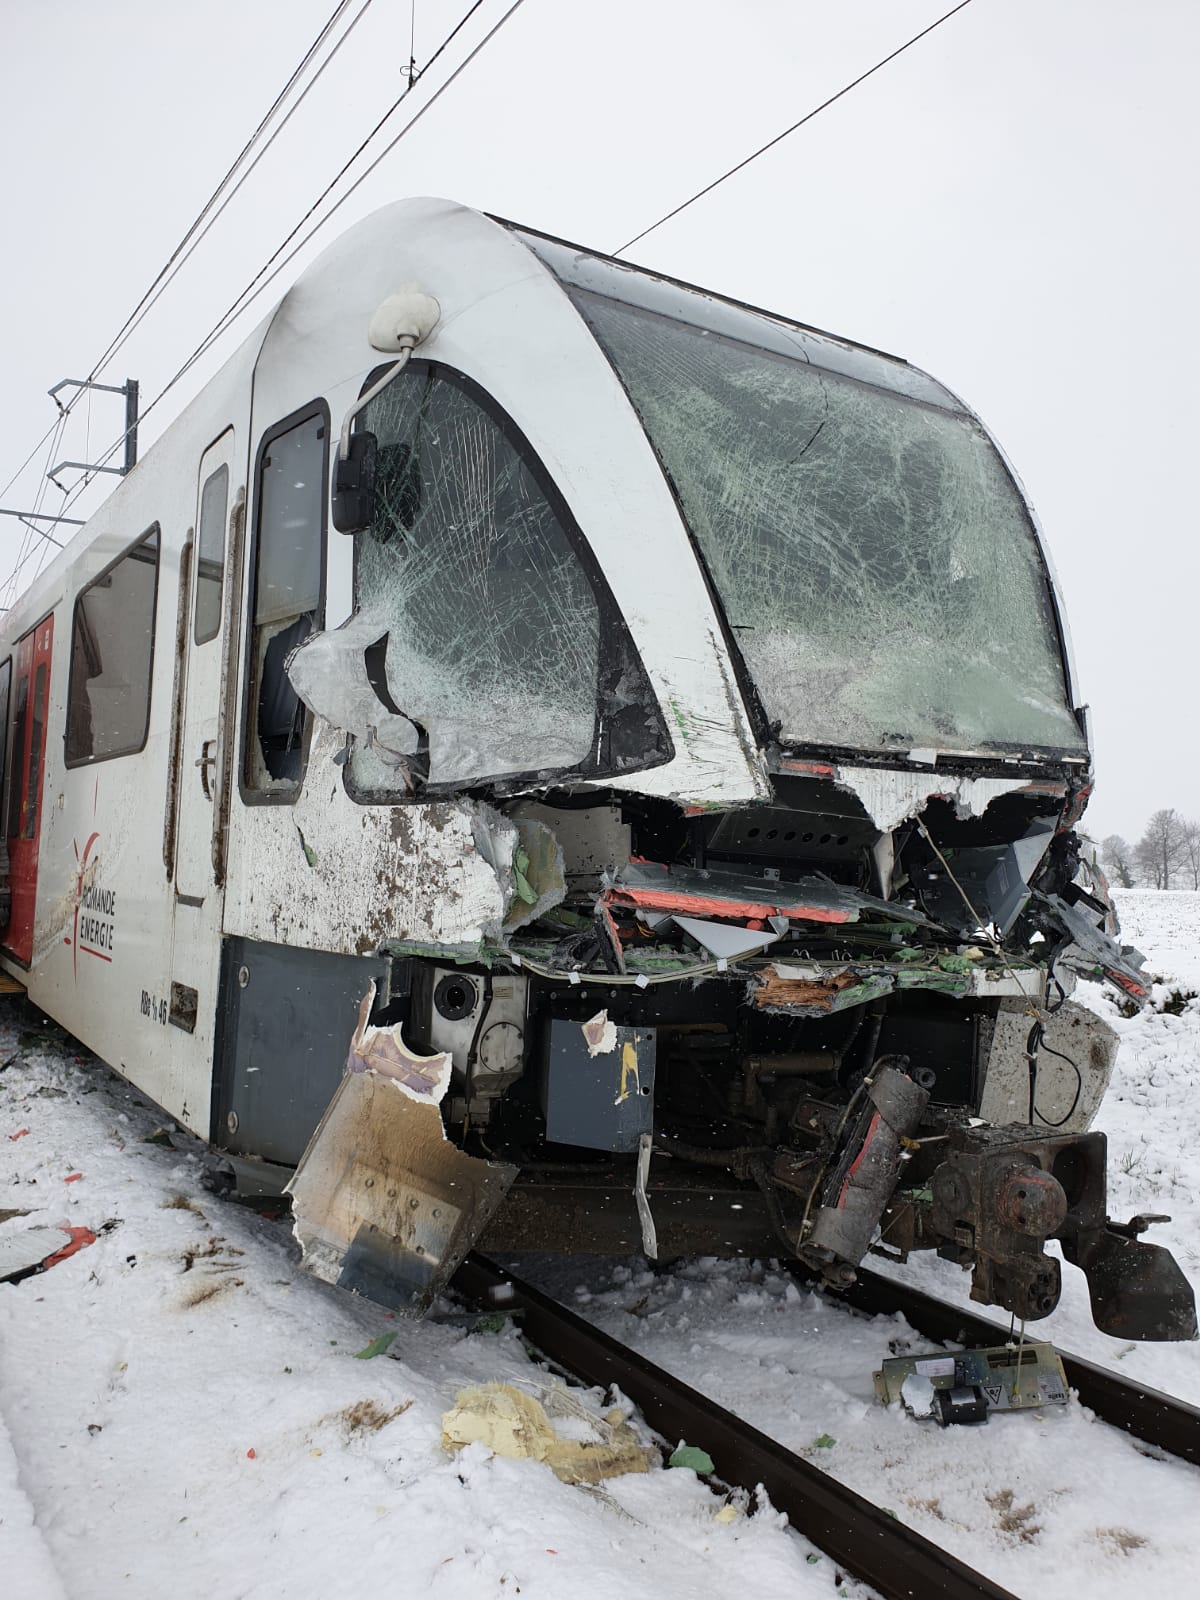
<point>1010,206</point>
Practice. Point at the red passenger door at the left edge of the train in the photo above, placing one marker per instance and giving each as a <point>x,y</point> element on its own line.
<point>23,826</point>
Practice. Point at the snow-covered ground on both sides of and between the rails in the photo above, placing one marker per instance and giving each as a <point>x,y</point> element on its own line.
<point>183,1414</point>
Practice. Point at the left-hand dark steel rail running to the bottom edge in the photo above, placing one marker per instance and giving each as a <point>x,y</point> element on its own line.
<point>870,1543</point>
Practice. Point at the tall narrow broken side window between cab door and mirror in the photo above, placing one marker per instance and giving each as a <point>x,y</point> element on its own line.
<point>287,596</point>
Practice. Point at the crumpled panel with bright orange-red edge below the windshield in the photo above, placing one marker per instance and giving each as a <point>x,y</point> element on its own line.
<point>647,886</point>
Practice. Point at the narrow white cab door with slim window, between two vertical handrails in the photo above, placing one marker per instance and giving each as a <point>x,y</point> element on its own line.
<point>202,714</point>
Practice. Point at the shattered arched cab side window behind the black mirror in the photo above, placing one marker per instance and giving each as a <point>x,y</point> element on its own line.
<point>490,622</point>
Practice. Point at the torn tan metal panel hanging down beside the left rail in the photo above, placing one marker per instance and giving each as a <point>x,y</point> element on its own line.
<point>383,1204</point>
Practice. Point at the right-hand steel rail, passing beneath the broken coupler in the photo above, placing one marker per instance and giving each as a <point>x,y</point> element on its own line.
<point>1148,1414</point>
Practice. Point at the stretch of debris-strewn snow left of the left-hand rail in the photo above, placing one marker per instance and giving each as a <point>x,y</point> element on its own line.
<point>194,1431</point>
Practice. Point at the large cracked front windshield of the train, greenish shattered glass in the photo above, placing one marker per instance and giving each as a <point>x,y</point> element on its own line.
<point>873,556</point>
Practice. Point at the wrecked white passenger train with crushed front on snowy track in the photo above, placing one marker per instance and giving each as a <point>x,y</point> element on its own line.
<point>545,756</point>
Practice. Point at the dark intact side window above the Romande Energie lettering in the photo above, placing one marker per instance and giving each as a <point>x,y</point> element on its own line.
<point>113,658</point>
